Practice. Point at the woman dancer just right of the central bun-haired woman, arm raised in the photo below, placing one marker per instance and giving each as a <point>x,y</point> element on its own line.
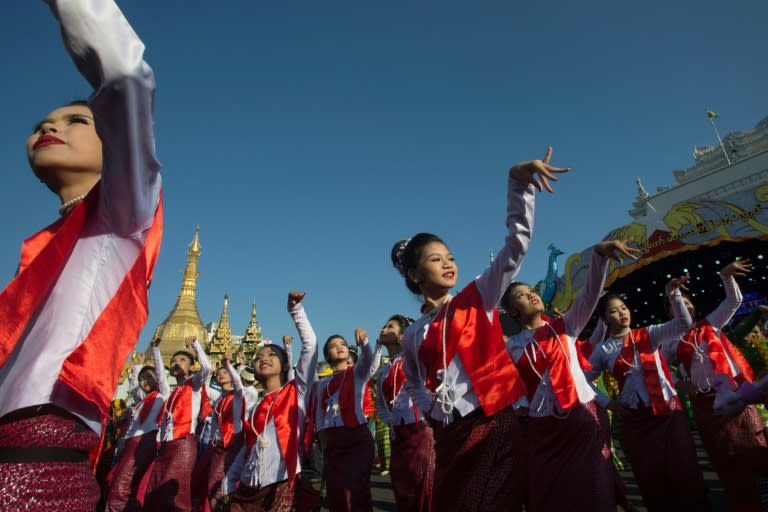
<point>568,456</point>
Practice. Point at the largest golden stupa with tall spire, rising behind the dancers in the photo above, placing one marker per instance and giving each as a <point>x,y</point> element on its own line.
<point>184,320</point>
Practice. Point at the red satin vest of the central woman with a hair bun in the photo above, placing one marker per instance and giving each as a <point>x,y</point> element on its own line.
<point>480,345</point>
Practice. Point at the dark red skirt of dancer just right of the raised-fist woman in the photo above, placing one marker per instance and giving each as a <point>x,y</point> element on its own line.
<point>348,460</point>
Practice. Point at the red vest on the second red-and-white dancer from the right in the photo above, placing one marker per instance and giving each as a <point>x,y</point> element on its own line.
<point>648,365</point>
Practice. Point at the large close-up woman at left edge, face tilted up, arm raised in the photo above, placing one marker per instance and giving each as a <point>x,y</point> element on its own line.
<point>69,324</point>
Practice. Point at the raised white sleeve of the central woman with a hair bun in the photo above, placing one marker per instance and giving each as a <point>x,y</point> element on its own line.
<point>502,271</point>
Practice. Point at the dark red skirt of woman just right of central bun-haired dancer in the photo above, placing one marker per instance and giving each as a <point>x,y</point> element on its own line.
<point>569,462</point>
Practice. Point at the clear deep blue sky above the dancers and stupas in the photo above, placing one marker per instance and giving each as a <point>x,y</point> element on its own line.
<point>306,137</point>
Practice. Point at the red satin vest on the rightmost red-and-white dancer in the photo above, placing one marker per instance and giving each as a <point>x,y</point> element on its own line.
<point>717,348</point>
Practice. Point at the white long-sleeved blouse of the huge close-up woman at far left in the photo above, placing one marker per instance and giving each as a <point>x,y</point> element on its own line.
<point>109,54</point>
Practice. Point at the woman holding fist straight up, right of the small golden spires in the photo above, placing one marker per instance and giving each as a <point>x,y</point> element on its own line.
<point>270,460</point>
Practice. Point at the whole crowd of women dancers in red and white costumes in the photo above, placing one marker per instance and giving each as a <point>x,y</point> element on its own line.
<point>479,419</point>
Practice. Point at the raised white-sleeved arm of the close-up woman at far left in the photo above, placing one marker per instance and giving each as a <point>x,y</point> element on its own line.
<point>109,55</point>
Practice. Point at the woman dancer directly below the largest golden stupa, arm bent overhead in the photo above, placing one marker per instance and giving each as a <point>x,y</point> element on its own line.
<point>170,481</point>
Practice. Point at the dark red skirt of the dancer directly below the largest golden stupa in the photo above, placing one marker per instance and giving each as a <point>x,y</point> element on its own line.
<point>169,484</point>
